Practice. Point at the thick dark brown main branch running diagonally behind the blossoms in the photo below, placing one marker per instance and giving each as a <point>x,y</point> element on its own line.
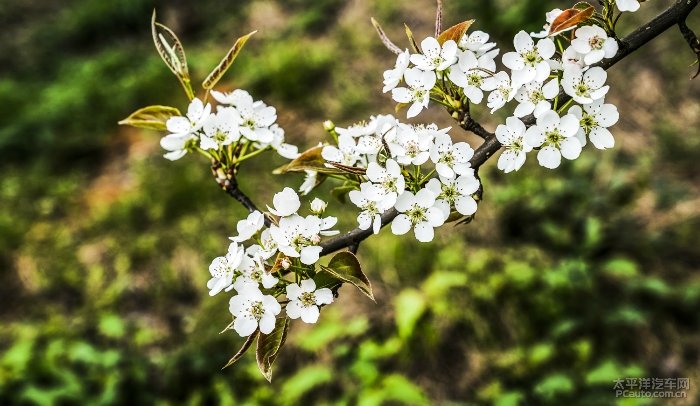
<point>642,35</point>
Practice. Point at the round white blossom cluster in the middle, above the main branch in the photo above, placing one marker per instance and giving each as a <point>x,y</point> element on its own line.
<point>395,156</point>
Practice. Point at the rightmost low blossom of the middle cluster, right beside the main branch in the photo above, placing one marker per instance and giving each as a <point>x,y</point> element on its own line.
<point>455,193</point>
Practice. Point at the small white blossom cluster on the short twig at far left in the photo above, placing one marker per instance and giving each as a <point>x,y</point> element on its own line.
<point>238,122</point>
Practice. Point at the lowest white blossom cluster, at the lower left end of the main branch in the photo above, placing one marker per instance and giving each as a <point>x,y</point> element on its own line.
<point>256,272</point>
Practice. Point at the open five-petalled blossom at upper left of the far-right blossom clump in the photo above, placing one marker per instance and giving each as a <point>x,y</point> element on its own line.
<point>530,61</point>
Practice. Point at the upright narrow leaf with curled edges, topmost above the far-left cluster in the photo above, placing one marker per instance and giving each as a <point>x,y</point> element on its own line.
<point>172,52</point>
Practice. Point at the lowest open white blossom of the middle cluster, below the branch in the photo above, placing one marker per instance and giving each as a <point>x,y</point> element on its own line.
<point>418,212</point>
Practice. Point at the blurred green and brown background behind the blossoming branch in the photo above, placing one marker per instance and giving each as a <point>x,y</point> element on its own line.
<point>565,281</point>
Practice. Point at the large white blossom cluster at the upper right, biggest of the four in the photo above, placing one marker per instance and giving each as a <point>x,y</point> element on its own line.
<point>454,73</point>
